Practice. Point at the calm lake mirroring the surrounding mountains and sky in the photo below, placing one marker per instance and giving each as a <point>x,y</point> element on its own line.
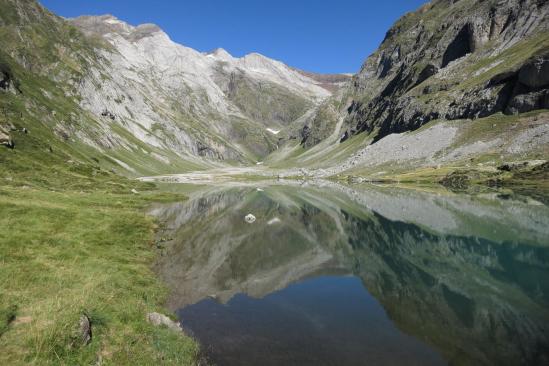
<point>359,275</point>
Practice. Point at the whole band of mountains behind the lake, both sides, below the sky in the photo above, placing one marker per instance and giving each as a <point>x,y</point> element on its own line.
<point>145,104</point>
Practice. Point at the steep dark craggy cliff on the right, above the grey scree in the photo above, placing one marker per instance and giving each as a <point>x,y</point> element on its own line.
<point>451,59</point>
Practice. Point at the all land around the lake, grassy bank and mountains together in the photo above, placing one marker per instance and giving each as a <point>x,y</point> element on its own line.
<point>95,112</point>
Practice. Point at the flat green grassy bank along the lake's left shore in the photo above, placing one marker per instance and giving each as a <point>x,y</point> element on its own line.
<point>63,254</point>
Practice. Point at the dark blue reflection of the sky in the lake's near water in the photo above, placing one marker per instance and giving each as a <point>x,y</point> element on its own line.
<point>321,321</point>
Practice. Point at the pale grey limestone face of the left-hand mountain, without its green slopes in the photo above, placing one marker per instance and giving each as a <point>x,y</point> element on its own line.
<point>210,105</point>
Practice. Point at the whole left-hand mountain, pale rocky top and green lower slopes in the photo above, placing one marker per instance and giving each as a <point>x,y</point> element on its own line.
<point>136,110</point>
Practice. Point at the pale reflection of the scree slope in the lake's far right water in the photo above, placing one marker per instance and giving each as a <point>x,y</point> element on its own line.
<point>498,218</point>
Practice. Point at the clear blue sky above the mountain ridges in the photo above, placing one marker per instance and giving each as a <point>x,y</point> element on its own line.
<point>325,36</point>
